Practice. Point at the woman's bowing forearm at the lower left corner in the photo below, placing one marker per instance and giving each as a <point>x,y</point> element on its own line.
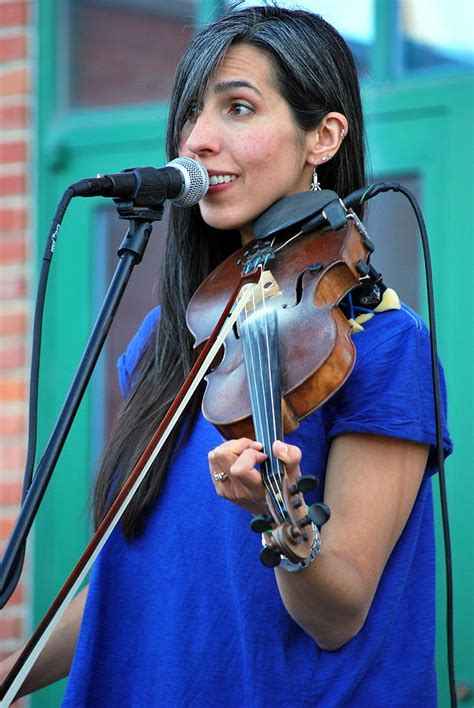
<point>55,660</point>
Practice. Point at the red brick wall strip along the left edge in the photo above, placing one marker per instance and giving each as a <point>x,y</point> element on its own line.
<point>15,283</point>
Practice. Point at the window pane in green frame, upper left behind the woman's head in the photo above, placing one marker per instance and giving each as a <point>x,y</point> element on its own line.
<point>119,52</point>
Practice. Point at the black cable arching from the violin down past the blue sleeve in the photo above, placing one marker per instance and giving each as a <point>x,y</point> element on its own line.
<point>359,197</point>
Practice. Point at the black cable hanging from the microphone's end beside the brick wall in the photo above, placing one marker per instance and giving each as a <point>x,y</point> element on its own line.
<point>14,573</point>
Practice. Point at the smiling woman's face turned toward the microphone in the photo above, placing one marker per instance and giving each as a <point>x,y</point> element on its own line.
<point>245,136</point>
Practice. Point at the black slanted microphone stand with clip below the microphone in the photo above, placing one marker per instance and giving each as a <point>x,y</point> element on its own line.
<point>130,254</point>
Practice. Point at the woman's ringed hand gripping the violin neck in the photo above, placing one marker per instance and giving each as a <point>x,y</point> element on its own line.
<point>236,477</point>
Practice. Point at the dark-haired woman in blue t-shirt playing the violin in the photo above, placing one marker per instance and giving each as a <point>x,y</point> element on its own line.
<point>179,610</point>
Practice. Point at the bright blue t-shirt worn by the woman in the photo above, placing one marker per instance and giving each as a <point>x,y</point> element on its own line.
<point>186,616</point>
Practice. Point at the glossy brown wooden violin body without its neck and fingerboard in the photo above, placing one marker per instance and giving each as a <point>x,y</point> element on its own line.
<point>305,279</point>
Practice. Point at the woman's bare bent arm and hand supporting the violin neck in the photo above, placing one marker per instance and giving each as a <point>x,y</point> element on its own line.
<point>371,486</point>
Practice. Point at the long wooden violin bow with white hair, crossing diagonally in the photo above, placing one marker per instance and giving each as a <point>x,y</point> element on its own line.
<point>32,649</point>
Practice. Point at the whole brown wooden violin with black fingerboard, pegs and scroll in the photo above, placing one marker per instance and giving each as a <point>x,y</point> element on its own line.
<point>288,353</point>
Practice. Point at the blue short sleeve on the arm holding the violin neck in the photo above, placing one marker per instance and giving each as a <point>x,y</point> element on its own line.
<point>390,390</point>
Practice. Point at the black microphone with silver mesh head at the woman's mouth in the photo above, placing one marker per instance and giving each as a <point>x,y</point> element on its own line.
<point>183,181</point>
